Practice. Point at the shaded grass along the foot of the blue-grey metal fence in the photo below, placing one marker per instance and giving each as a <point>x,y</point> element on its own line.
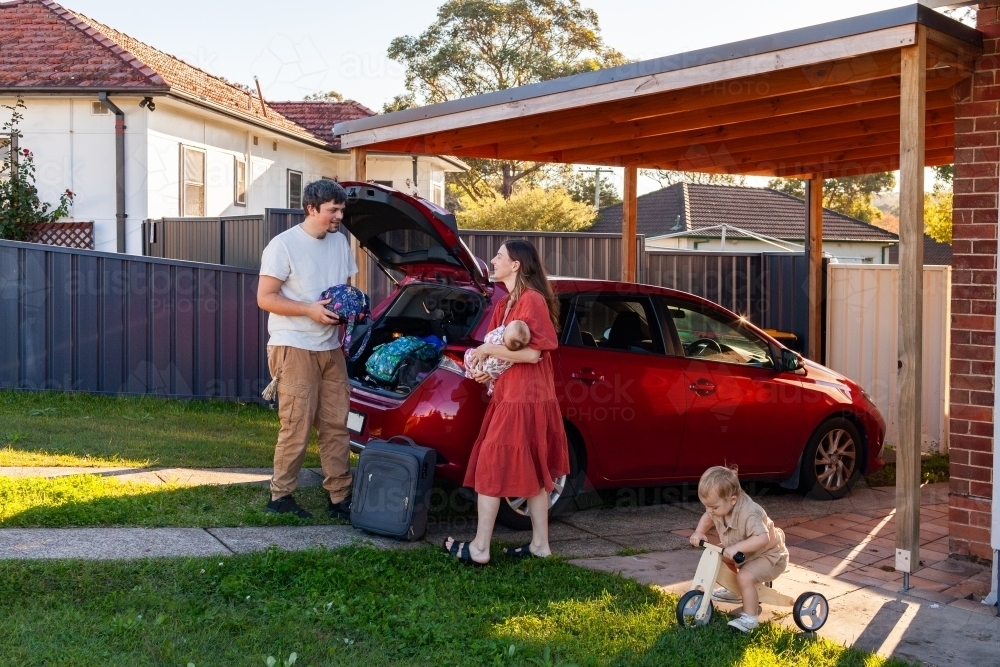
<point>64,429</point>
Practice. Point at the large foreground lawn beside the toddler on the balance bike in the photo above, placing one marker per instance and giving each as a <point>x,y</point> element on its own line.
<point>360,606</point>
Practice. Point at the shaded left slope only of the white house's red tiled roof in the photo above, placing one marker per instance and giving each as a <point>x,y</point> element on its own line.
<point>43,45</point>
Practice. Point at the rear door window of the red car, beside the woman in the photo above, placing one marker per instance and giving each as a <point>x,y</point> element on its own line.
<point>615,322</point>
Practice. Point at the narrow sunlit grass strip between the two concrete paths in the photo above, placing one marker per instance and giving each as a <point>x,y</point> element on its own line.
<point>93,500</point>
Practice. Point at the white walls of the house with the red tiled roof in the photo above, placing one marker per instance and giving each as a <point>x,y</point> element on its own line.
<point>75,150</point>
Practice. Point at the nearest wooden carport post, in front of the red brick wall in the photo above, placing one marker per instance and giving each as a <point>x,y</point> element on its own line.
<point>913,81</point>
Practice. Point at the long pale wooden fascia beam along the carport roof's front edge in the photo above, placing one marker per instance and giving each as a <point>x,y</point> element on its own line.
<point>792,59</point>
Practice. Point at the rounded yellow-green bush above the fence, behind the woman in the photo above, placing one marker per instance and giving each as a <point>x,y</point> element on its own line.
<point>533,209</point>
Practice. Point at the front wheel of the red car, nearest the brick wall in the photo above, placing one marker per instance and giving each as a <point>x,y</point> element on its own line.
<point>831,462</point>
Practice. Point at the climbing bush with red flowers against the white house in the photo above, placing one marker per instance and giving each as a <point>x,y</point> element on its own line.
<point>20,206</point>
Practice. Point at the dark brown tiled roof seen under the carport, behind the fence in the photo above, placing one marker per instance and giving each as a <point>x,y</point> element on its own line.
<point>689,206</point>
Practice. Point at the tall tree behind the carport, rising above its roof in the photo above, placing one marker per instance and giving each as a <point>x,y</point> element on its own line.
<point>479,46</point>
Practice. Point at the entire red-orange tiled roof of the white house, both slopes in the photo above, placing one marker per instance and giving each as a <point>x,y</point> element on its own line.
<point>56,48</point>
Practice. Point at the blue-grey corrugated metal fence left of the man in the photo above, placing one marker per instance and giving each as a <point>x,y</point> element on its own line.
<point>107,323</point>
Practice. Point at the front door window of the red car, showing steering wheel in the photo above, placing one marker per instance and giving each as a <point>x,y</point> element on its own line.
<point>715,337</point>
